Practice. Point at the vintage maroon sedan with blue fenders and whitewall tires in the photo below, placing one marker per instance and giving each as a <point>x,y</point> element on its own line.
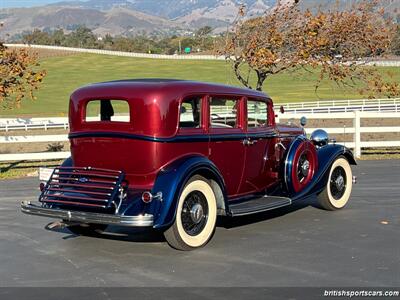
<point>173,155</point>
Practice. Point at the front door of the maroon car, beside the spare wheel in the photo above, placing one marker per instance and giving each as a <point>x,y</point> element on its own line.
<point>259,158</point>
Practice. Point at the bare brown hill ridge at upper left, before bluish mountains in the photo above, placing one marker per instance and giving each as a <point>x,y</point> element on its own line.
<point>116,21</point>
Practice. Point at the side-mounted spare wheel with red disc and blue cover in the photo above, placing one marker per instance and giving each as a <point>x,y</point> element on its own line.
<point>301,164</point>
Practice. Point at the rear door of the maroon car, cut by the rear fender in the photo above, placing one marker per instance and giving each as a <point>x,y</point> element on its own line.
<point>226,149</point>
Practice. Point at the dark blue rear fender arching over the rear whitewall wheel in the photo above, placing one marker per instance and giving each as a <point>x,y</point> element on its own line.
<point>170,182</point>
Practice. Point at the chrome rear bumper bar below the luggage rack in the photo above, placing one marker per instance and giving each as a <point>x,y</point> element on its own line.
<point>87,217</point>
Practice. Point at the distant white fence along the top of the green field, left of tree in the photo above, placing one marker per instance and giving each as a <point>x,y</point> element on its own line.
<point>120,53</point>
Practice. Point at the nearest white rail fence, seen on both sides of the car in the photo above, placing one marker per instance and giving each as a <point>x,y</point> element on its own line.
<point>355,143</point>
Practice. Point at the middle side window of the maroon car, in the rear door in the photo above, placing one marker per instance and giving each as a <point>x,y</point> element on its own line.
<point>223,112</point>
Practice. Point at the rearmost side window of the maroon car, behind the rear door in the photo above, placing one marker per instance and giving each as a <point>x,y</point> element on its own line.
<point>190,114</point>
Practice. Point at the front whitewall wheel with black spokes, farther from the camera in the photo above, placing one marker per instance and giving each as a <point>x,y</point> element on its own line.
<point>337,191</point>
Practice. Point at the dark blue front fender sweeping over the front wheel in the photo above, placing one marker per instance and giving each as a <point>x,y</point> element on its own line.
<point>326,156</point>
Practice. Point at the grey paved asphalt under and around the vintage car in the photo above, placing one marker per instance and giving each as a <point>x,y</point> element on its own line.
<point>301,246</point>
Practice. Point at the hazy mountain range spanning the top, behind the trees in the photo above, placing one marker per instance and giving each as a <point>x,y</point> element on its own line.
<point>166,17</point>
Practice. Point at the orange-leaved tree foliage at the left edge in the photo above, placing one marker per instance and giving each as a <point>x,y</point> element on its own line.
<point>19,76</point>
